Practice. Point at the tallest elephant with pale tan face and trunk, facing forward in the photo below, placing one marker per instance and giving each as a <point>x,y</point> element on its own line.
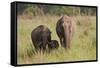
<point>65,30</point>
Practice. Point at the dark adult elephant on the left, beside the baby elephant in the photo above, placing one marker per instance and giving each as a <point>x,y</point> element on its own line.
<point>41,36</point>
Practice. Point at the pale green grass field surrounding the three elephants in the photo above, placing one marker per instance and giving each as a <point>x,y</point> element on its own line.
<point>83,45</point>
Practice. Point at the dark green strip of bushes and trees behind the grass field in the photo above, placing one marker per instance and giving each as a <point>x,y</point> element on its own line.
<point>35,9</point>
